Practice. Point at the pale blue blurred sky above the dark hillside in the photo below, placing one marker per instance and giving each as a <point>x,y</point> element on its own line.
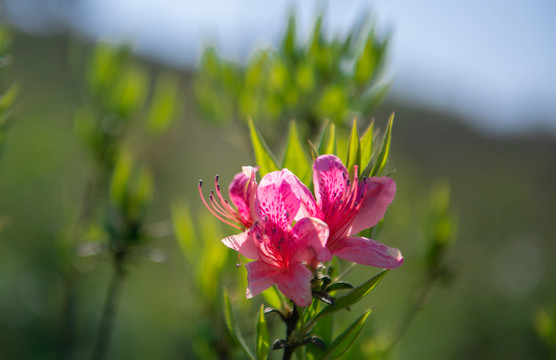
<point>493,60</point>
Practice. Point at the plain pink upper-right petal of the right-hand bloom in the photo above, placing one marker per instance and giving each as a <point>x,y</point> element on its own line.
<point>378,194</point>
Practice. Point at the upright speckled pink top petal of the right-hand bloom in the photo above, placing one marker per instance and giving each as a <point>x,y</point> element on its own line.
<point>329,180</point>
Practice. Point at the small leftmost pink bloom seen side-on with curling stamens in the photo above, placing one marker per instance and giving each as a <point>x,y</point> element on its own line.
<point>242,192</point>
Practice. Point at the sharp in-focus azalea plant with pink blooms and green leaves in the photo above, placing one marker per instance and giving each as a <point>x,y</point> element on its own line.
<point>292,234</point>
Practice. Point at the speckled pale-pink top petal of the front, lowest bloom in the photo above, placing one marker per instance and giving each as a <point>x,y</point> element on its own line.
<point>275,201</point>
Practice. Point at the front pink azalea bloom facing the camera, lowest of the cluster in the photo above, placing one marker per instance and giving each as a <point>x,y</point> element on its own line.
<point>279,249</point>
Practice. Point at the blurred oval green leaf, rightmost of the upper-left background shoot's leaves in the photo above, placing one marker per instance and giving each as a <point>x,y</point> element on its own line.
<point>164,103</point>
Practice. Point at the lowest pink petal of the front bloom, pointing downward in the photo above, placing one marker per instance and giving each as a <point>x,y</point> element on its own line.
<point>296,284</point>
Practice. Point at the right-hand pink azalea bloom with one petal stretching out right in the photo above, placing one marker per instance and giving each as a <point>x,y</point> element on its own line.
<point>349,207</point>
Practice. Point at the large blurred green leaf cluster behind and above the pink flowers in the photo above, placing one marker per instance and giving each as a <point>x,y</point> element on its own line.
<point>322,79</point>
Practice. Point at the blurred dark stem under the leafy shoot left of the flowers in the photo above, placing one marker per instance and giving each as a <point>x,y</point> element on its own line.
<point>109,310</point>
